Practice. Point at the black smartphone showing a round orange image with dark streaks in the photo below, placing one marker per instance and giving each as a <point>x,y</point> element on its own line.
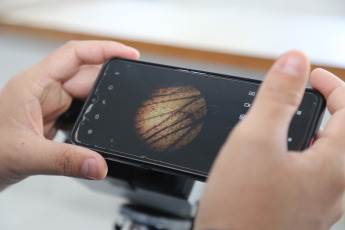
<point>173,119</point>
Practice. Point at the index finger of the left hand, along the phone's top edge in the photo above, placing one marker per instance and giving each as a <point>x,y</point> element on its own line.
<point>63,63</point>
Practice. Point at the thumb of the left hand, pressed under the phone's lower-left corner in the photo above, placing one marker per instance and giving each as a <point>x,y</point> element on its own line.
<point>56,158</point>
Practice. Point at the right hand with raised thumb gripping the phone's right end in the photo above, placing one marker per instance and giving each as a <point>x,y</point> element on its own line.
<point>256,183</point>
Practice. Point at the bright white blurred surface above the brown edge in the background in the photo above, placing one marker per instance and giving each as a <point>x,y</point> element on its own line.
<point>256,28</point>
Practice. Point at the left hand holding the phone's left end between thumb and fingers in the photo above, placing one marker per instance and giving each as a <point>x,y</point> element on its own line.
<point>31,102</point>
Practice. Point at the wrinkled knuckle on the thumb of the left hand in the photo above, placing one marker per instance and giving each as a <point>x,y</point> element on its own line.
<point>64,162</point>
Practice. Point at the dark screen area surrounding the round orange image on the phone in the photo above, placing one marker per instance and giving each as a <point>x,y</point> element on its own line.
<point>109,123</point>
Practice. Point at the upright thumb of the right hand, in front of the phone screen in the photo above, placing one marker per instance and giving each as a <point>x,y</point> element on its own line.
<point>280,94</point>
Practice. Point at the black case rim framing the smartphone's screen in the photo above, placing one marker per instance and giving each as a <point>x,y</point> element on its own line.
<point>175,169</point>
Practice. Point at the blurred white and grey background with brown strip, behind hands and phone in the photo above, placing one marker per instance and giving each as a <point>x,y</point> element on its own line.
<point>226,36</point>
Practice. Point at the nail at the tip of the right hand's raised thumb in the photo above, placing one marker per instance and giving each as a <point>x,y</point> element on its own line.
<point>292,63</point>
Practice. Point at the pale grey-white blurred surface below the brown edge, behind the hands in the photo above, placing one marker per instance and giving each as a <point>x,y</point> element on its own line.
<point>50,202</point>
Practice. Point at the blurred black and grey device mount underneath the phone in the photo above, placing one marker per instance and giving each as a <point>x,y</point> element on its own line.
<point>156,200</point>
